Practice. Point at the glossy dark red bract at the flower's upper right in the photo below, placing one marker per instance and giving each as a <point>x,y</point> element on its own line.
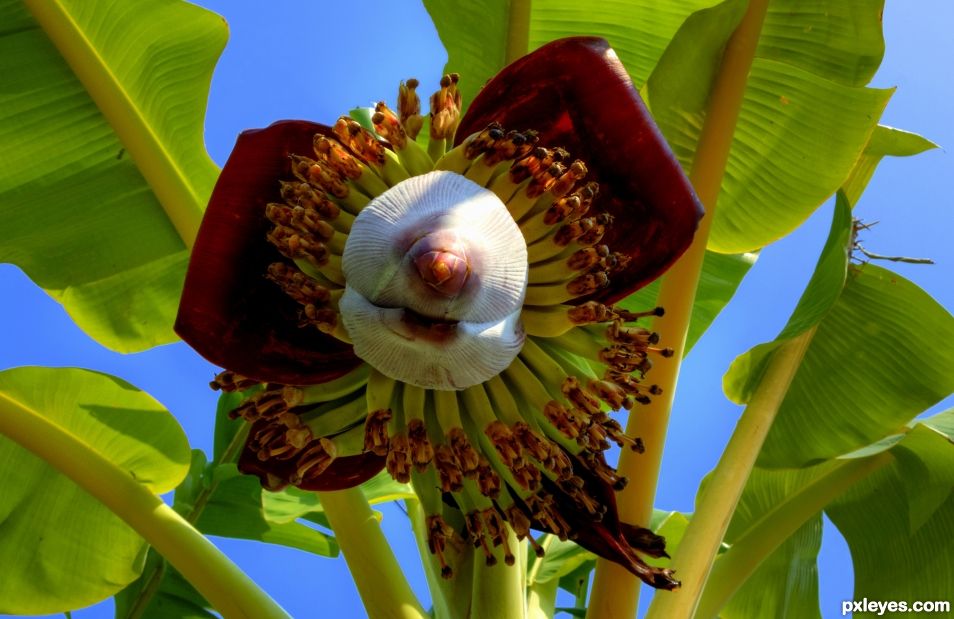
<point>577,94</point>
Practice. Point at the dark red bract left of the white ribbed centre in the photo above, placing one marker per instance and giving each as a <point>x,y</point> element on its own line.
<point>229,312</point>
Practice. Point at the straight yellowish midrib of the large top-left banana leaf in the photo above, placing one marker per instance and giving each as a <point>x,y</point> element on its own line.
<point>166,179</point>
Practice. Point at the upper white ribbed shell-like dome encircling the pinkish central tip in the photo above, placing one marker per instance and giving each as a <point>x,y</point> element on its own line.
<point>378,260</point>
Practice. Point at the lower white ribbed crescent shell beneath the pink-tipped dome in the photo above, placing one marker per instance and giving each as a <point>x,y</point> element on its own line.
<point>467,354</point>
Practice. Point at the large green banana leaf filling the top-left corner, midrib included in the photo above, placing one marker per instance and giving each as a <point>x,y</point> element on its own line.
<point>103,105</point>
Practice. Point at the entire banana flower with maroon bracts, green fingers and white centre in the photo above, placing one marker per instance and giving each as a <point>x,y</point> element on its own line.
<point>446,314</point>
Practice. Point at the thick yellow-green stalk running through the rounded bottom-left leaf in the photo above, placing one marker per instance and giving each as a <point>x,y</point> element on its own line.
<point>219,580</point>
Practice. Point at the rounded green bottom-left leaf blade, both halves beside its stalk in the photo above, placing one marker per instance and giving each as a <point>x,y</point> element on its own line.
<point>61,548</point>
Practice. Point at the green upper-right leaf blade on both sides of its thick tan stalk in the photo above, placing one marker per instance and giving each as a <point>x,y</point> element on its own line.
<point>799,132</point>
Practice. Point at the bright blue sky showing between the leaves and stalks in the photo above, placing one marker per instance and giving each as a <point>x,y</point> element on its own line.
<point>315,61</point>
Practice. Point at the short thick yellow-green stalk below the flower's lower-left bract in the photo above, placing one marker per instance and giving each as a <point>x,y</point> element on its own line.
<point>380,580</point>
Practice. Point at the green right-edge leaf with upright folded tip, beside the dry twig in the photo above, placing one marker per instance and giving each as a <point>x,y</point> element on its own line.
<point>869,368</point>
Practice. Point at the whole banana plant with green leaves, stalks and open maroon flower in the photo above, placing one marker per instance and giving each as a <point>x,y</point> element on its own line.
<point>474,300</point>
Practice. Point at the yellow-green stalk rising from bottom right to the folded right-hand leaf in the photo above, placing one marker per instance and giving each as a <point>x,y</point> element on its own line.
<point>693,559</point>
